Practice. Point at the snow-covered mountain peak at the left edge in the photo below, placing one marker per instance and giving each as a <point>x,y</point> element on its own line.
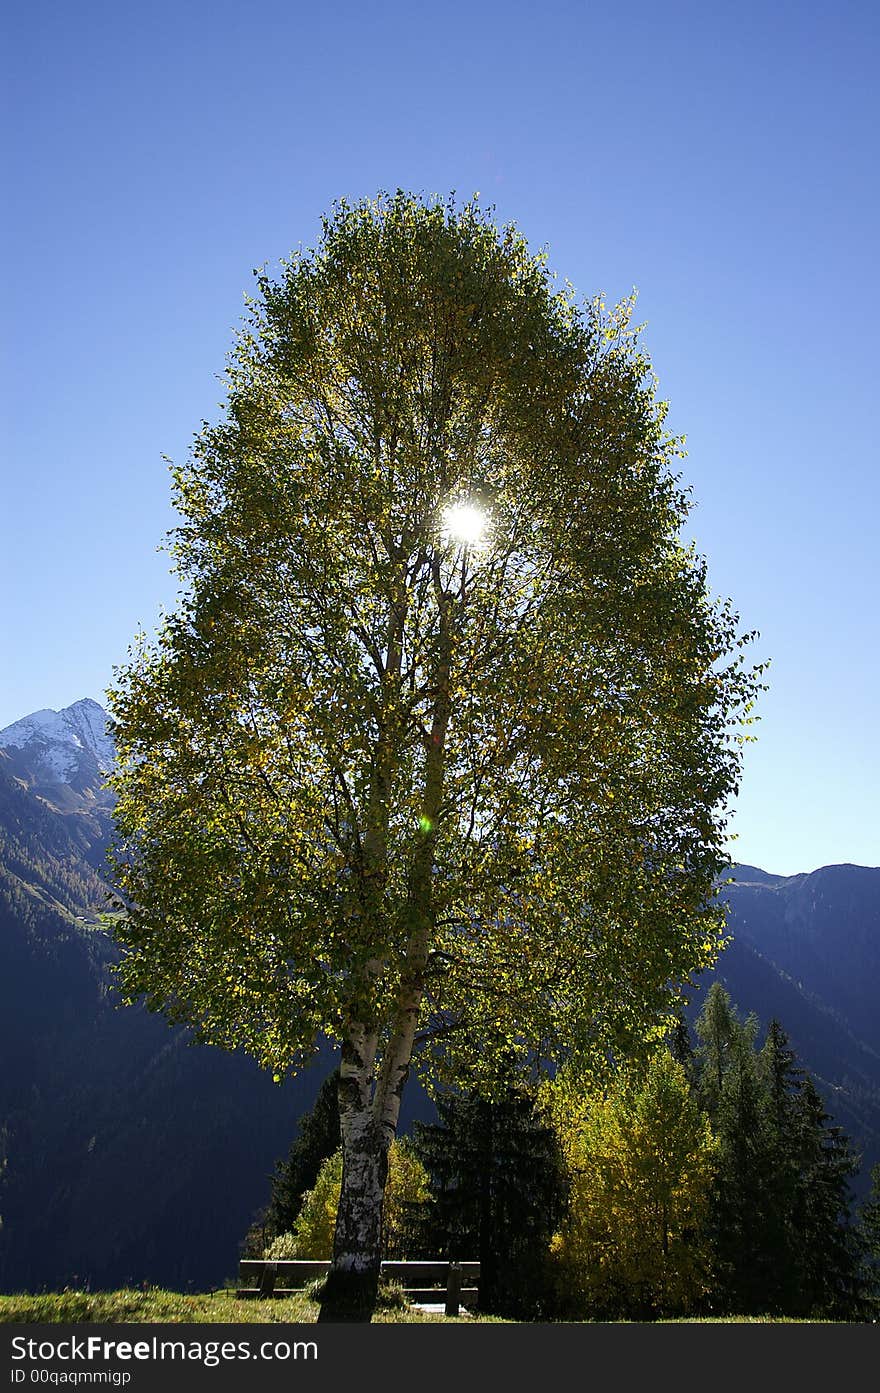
<point>59,743</point>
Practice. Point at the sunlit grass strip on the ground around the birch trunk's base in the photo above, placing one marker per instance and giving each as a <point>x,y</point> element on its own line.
<point>154,1305</point>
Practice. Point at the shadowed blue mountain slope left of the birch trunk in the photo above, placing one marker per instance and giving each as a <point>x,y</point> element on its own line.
<point>126,1153</point>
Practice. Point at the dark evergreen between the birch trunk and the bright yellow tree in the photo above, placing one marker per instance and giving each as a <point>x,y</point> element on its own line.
<point>499,1192</point>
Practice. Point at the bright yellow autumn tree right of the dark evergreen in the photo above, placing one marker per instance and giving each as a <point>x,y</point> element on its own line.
<point>641,1157</point>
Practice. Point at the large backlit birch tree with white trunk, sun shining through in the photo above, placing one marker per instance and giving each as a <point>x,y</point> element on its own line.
<point>434,756</point>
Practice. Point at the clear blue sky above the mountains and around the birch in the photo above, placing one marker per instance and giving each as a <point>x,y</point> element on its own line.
<point>719,158</point>
